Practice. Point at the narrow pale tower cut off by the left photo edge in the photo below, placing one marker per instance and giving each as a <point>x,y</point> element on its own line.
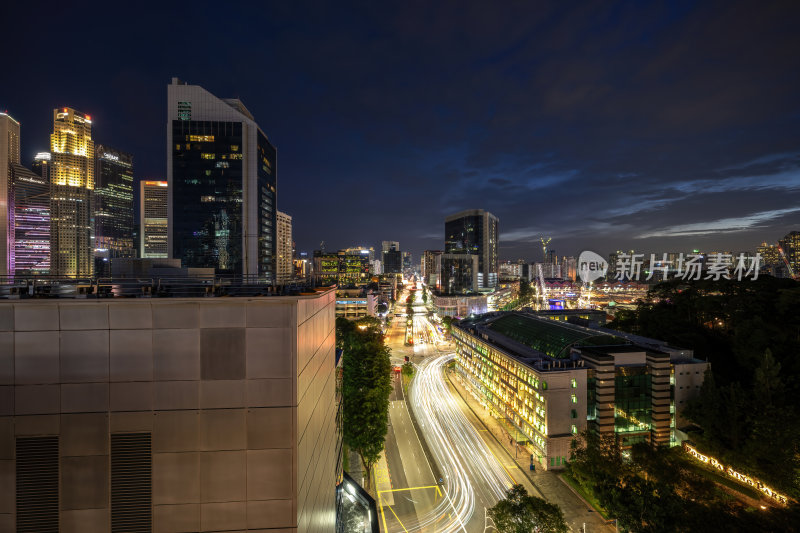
<point>9,154</point>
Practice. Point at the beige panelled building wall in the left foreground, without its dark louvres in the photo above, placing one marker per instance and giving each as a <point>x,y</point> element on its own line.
<point>237,394</point>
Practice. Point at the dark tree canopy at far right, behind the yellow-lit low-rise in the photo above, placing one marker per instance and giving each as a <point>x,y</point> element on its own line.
<point>749,331</point>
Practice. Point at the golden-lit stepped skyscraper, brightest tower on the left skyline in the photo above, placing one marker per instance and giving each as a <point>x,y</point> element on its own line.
<point>71,187</point>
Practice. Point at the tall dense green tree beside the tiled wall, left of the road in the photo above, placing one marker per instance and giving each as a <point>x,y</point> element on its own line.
<point>366,385</point>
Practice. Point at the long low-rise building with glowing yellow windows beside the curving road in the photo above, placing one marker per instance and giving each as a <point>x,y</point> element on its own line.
<point>549,379</point>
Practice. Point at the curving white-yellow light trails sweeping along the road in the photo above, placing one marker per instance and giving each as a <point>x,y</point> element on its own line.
<point>461,454</point>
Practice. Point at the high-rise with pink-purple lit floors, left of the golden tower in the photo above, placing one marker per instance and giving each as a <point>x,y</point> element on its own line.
<point>30,208</point>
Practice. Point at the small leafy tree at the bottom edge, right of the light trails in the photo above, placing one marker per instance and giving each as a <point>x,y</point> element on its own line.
<point>519,512</point>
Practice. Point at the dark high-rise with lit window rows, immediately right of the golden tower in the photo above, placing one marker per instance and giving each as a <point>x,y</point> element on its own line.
<point>112,209</point>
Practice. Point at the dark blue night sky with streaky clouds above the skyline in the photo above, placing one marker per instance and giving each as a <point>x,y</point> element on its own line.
<point>661,127</point>
